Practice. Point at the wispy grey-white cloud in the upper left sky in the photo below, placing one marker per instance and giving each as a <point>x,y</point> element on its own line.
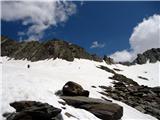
<point>38,15</point>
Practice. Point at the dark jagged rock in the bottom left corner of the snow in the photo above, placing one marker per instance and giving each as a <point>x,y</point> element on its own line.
<point>31,110</point>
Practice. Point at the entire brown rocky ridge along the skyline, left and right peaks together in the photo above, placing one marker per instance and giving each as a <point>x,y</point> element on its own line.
<point>57,48</point>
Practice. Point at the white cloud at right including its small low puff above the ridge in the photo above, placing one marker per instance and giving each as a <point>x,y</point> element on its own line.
<point>146,35</point>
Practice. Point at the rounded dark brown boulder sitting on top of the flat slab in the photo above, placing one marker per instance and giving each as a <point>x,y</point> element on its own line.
<point>74,89</point>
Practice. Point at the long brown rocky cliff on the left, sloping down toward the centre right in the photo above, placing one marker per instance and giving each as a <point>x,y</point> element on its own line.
<point>34,50</point>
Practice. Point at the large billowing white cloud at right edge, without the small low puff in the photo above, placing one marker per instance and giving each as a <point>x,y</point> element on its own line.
<point>146,35</point>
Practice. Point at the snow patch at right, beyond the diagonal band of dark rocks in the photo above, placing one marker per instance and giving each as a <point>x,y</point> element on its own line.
<point>151,71</point>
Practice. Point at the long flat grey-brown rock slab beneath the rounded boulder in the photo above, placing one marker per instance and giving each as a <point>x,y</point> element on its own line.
<point>104,110</point>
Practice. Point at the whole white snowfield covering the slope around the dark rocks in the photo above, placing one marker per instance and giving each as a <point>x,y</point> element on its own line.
<point>44,78</point>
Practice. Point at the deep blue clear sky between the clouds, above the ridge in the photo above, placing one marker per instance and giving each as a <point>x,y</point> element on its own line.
<point>111,24</point>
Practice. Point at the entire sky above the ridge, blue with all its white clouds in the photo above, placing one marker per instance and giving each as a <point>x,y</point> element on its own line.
<point>103,30</point>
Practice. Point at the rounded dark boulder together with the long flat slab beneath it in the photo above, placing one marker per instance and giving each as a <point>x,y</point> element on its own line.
<point>75,95</point>
